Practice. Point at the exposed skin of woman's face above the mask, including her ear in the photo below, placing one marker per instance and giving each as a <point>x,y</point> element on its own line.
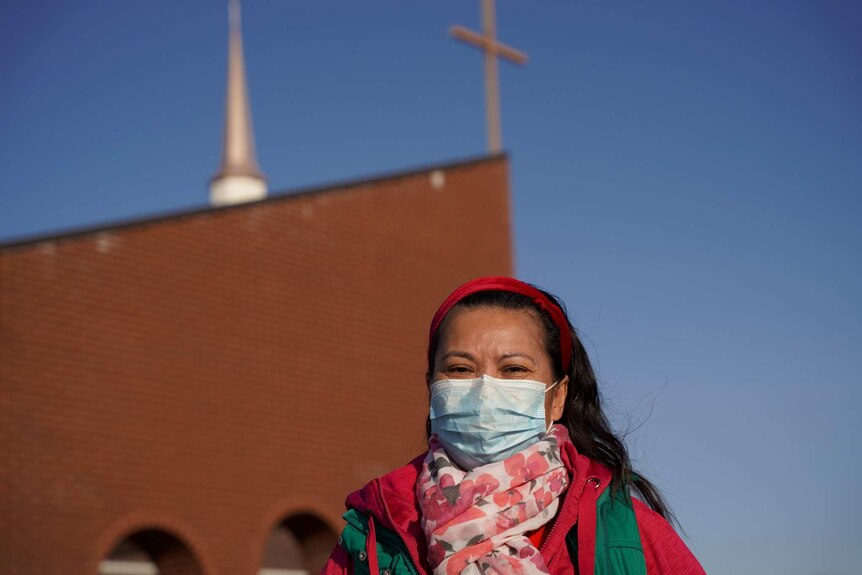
<point>502,343</point>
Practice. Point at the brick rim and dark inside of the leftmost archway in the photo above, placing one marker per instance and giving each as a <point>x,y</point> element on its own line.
<point>171,549</point>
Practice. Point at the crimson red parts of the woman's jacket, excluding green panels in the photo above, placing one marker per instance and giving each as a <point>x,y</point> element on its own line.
<point>392,503</point>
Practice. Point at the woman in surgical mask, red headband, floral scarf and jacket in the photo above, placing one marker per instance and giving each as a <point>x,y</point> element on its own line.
<point>523,473</point>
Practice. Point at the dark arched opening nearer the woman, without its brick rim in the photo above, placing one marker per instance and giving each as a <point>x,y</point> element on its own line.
<point>298,545</point>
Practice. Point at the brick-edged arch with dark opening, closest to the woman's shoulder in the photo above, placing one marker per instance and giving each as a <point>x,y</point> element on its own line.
<point>299,539</point>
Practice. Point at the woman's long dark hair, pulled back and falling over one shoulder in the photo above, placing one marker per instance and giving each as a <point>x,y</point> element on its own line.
<point>588,426</point>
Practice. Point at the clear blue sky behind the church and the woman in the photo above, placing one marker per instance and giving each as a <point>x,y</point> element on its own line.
<point>685,175</point>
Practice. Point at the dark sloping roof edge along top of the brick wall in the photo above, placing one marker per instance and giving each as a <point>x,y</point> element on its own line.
<point>277,197</point>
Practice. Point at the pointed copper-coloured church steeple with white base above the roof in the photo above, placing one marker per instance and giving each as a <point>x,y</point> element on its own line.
<point>239,178</point>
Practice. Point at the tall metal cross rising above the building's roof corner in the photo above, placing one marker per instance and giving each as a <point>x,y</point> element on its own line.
<point>487,41</point>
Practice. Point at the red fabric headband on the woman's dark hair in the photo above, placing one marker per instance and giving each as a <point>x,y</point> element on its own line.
<point>503,283</point>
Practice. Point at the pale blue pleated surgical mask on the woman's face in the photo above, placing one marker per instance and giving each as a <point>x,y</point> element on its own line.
<point>483,420</point>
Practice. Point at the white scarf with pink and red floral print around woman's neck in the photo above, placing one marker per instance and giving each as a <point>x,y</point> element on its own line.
<point>475,521</point>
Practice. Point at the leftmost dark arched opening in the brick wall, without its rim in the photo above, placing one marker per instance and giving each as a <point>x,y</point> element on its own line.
<point>150,552</point>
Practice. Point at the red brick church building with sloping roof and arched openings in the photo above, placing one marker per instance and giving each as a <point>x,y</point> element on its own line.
<point>202,390</point>
